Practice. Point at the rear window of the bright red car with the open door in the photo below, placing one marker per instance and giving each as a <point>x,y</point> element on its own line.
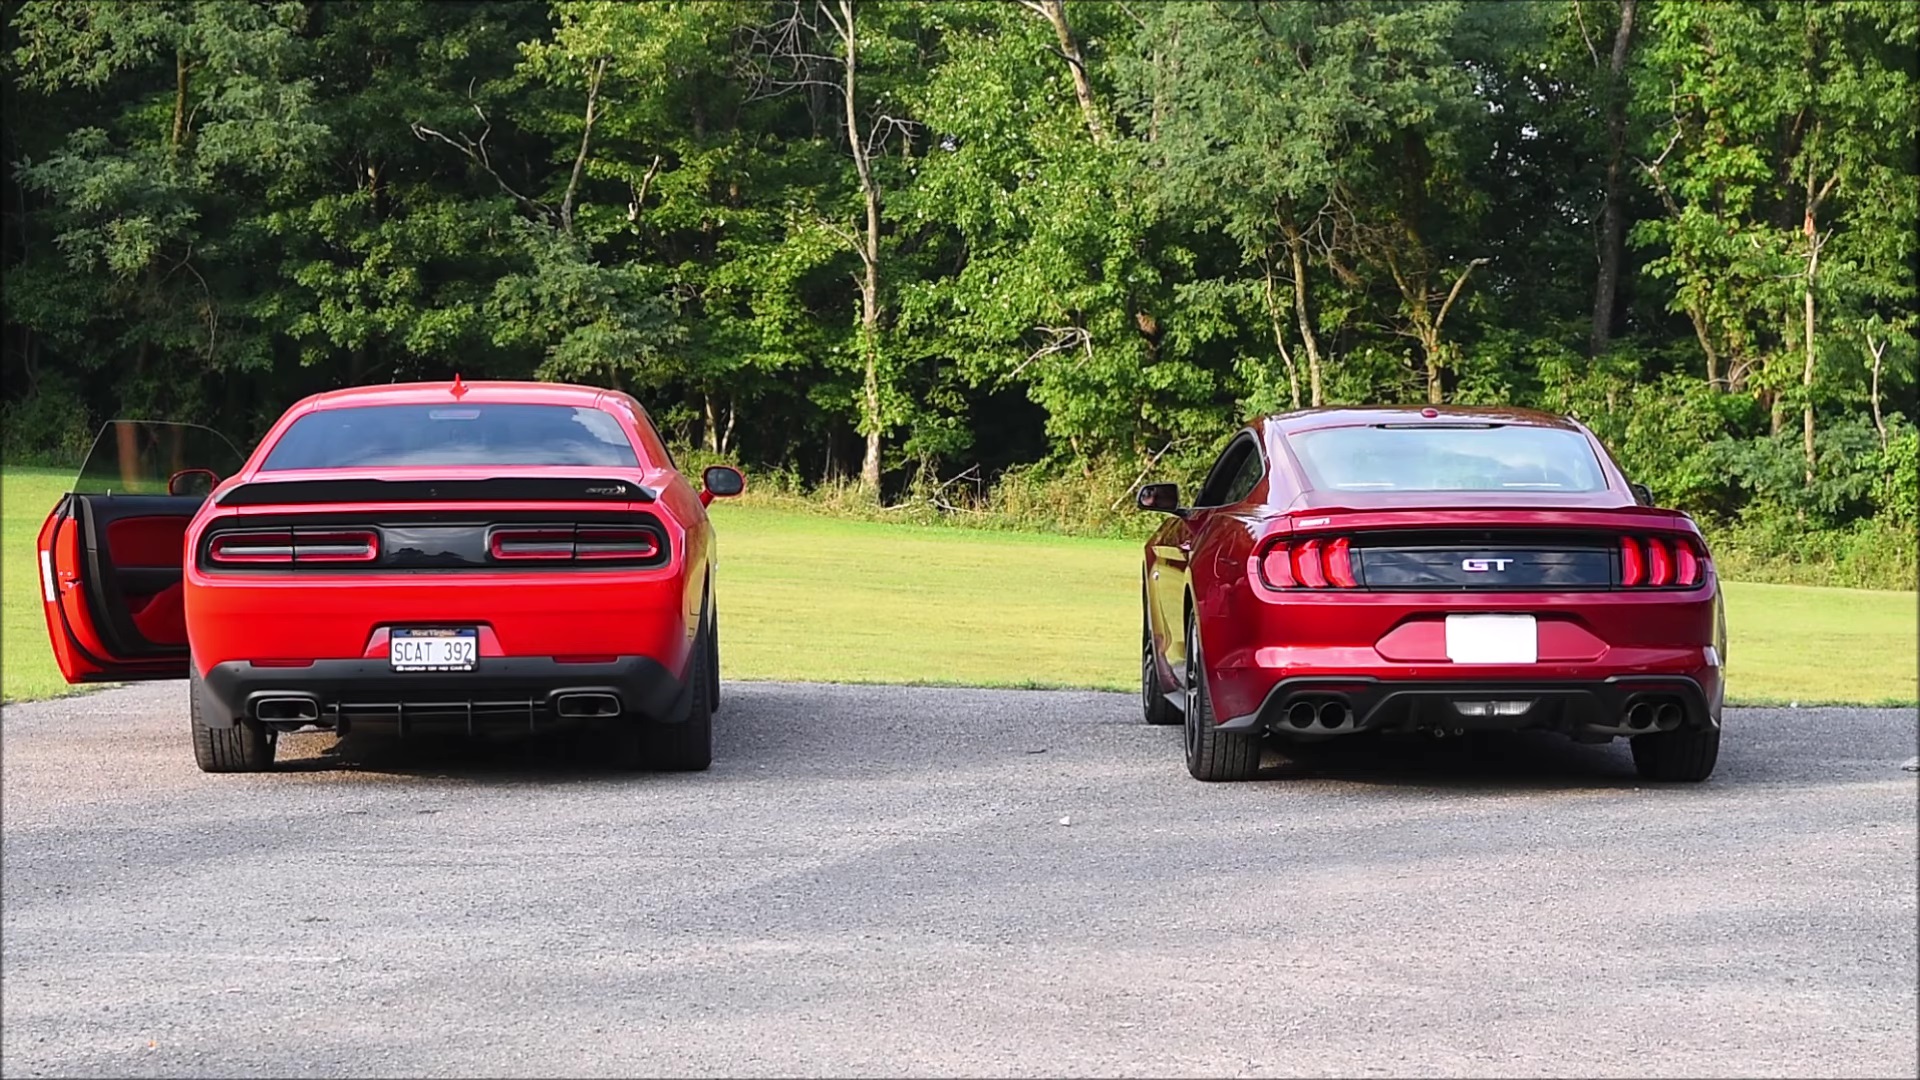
<point>452,435</point>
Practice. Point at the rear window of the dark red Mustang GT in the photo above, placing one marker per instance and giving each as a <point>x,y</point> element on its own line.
<point>1449,460</point>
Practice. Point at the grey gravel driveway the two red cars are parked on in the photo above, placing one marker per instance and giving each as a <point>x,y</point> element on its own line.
<point>915,881</point>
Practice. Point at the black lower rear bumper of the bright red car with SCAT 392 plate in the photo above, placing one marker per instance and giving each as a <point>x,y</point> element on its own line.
<point>498,693</point>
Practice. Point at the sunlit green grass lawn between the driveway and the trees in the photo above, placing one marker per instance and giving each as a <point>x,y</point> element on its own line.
<point>819,599</point>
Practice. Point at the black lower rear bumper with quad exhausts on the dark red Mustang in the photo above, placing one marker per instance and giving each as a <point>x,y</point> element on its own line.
<point>1600,706</point>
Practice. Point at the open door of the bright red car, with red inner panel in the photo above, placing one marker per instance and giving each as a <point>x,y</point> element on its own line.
<point>112,552</point>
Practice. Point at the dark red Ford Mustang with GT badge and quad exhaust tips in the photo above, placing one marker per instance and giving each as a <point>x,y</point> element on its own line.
<point>1429,570</point>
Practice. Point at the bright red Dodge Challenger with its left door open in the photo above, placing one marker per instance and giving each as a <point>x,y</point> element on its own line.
<point>471,556</point>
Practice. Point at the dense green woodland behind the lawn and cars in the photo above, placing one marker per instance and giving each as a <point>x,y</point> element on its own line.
<point>1045,247</point>
